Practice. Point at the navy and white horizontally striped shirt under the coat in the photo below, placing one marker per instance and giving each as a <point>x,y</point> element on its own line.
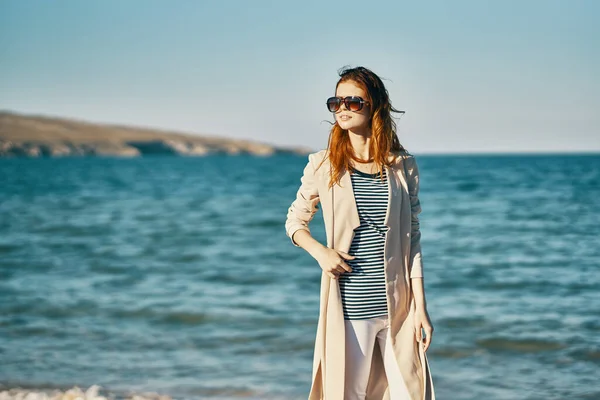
<point>363,289</point>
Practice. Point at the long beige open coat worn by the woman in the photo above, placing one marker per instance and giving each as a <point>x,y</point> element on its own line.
<point>402,262</point>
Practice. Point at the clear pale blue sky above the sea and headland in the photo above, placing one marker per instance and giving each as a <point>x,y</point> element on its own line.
<point>472,76</point>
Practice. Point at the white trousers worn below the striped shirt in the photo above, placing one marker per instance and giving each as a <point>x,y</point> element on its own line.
<point>360,341</point>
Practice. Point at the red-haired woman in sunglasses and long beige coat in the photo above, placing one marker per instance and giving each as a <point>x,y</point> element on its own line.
<point>369,342</point>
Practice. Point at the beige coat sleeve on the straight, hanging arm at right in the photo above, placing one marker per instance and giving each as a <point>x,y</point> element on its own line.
<point>415,260</point>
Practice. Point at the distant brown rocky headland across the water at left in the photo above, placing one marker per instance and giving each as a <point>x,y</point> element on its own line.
<point>42,136</point>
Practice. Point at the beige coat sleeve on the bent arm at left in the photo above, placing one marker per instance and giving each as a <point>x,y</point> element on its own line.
<point>304,207</point>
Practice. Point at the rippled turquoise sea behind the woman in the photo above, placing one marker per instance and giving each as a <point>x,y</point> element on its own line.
<point>175,275</point>
